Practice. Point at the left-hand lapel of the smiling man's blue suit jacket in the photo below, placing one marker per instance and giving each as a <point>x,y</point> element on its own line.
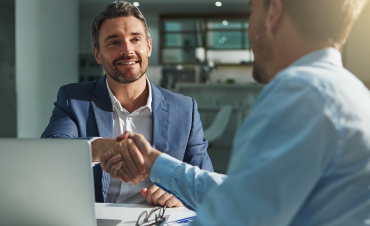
<point>103,109</point>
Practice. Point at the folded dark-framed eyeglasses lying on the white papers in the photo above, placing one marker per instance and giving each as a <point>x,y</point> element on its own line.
<point>155,217</point>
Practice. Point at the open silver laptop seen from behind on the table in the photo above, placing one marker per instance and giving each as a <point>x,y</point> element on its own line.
<point>47,182</point>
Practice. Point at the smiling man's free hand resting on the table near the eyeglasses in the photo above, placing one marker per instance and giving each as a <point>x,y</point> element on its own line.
<point>155,196</point>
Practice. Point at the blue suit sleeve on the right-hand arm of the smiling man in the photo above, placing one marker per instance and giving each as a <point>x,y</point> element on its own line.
<point>196,150</point>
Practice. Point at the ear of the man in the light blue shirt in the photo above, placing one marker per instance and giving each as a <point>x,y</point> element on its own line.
<point>275,14</point>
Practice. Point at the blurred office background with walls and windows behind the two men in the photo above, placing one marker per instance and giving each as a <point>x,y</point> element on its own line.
<point>200,49</point>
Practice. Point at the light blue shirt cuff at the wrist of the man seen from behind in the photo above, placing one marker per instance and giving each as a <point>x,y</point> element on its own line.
<point>162,170</point>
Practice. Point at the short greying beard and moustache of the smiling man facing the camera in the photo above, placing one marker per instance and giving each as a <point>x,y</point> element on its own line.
<point>121,77</point>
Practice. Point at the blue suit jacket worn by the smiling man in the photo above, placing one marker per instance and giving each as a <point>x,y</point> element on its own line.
<point>84,110</point>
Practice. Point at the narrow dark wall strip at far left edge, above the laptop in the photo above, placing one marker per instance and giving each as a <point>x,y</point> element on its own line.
<point>8,119</point>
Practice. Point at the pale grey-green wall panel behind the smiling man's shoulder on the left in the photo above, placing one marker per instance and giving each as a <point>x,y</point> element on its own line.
<point>46,58</point>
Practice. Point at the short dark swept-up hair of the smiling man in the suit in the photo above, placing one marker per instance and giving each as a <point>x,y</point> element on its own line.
<point>114,10</point>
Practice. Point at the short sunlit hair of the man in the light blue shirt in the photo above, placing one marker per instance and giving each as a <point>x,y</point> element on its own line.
<point>324,20</point>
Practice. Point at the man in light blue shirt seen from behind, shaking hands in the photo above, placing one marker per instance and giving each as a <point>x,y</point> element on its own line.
<point>302,156</point>
